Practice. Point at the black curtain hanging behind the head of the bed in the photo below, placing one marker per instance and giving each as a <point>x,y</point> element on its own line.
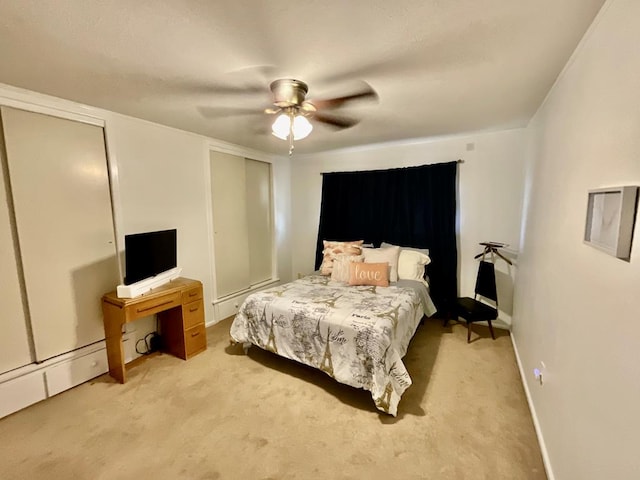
<point>411,207</point>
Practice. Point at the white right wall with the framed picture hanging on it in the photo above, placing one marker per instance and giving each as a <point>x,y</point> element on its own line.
<point>576,307</point>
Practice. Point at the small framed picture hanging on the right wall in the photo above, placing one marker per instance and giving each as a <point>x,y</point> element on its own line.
<point>610,221</point>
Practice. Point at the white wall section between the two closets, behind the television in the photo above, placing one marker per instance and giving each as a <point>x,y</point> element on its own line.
<point>161,186</point>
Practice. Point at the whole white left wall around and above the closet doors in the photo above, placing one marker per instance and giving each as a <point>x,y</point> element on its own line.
<point>160,180</point>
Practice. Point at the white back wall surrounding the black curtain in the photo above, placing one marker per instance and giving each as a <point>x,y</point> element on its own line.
<point>490,184</point>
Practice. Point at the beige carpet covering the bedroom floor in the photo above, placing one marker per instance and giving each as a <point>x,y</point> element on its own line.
<point>223,415</point>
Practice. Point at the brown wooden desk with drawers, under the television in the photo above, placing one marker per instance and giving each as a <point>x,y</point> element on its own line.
<point>180,309</point>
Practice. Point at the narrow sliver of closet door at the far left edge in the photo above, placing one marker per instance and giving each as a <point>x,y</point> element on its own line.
<point>14,342</point>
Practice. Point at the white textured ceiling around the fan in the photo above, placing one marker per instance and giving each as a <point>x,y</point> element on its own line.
<point>439,66</point>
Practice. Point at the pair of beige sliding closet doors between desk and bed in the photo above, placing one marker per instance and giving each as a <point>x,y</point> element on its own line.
<point>242,222</point>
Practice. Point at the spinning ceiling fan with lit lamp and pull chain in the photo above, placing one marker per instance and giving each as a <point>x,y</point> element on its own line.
<point>294,111</point>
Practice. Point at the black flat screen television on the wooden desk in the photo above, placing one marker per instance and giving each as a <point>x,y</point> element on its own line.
<point>148,254</point>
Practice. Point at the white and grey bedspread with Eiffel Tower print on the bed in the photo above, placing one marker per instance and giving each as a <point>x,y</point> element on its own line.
<point>356,334</point>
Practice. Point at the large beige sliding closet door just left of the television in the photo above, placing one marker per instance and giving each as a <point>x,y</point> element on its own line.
<point>60,186</point>
